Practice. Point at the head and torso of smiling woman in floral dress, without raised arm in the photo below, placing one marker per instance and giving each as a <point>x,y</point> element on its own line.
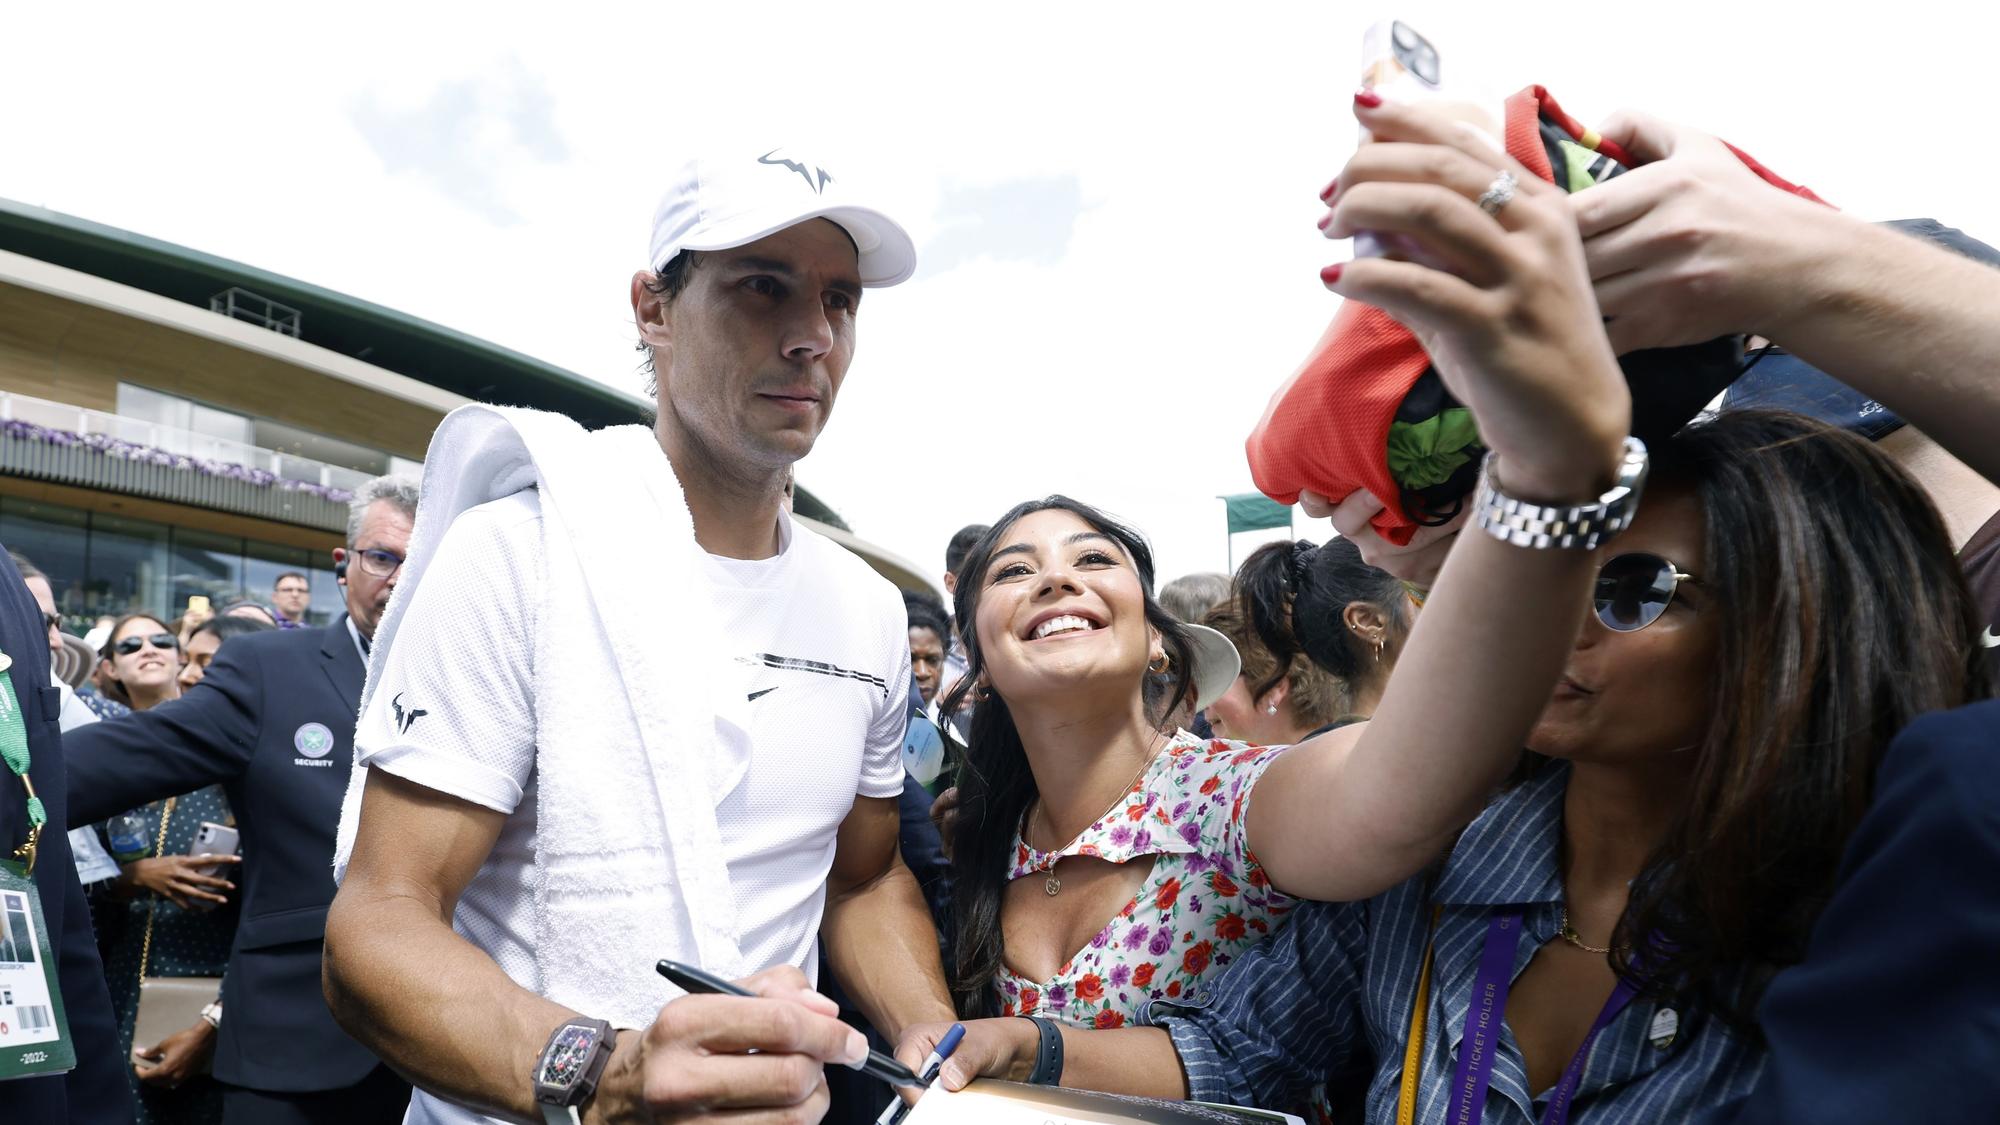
<point>1103,862</point>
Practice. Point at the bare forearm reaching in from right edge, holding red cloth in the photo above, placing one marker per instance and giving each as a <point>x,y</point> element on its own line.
<point>1907,323</point>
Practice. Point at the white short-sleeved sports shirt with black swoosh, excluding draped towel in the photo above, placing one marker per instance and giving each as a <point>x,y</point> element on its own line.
<point>819,640</point>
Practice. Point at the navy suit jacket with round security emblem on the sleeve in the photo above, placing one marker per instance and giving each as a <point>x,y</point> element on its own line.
<point>273,724</point>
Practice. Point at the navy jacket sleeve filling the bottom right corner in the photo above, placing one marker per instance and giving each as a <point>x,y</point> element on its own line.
<point>1895,1014</point>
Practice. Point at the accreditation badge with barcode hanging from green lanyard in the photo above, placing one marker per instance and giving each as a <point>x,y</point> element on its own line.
<point>35,1034</point>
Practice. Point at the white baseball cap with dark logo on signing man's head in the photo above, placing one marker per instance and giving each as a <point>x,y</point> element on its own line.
<point>717,203</point>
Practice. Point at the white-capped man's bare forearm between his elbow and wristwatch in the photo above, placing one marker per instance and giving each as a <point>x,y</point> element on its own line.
<point>433,1006</point>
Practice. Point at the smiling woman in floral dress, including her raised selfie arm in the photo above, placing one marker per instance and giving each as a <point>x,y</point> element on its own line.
<point>1105,864</point>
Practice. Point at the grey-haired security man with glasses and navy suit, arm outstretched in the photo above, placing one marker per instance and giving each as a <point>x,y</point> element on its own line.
<point>273,724</point>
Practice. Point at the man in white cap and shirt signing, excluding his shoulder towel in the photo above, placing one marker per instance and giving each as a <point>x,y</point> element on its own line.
<point>437,944</point>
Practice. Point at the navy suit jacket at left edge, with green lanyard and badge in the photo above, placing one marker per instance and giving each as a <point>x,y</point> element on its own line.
<point>95,1090</point>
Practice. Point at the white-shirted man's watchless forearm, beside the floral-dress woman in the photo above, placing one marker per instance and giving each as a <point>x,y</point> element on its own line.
<point>883,948</point>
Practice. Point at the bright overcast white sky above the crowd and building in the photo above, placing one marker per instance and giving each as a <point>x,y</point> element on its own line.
<point>1115,205</point>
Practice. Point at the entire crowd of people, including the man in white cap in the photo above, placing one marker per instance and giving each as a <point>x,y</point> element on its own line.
<point>1671,806</point>
